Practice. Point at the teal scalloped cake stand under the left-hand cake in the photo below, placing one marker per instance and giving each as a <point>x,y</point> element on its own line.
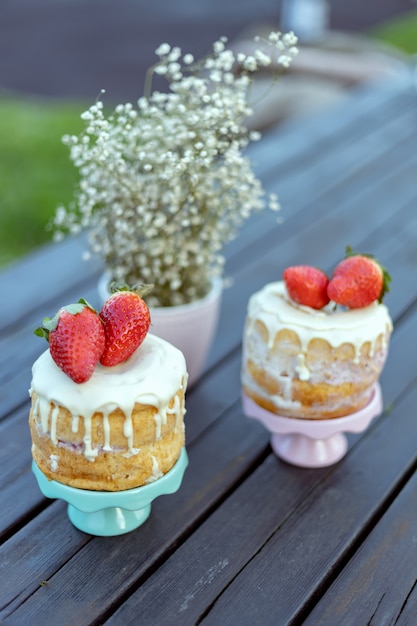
<point>109,513</point>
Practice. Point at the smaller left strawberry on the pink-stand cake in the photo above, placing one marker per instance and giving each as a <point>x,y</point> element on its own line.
<point>307,285</point>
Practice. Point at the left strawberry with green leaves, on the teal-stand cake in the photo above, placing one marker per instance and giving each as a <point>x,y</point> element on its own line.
<point>76,340</point>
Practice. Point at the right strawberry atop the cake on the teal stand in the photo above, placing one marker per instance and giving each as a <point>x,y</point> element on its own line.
<point>126,321</point>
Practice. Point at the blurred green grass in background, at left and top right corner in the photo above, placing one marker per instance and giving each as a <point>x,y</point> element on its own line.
<point>36,174</point>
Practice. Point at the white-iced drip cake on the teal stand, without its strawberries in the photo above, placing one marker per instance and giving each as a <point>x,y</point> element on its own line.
<point>122,428</point>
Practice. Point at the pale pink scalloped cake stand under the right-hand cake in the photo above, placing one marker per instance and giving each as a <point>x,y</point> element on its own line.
<point>309,442</point>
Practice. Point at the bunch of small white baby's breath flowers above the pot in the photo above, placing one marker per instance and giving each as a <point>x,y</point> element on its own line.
<point>165,184</point>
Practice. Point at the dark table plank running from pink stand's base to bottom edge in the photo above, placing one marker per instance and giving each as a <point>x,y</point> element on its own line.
<point>219,549</point>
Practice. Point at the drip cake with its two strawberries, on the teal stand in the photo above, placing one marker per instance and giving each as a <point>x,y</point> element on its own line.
<point>107,397</point>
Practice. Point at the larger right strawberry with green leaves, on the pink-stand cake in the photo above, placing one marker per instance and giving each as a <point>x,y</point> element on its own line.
<point>358,281</point>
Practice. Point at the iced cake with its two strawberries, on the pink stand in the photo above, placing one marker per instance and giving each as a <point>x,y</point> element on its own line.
<point>314,347</point>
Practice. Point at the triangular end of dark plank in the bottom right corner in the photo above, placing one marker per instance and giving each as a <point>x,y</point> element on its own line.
<point>378,585</point>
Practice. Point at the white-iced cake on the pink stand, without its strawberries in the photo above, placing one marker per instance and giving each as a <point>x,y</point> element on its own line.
<point>312,363</point>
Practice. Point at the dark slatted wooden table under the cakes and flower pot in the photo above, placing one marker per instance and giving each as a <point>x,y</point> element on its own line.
<point>248,539</point>
